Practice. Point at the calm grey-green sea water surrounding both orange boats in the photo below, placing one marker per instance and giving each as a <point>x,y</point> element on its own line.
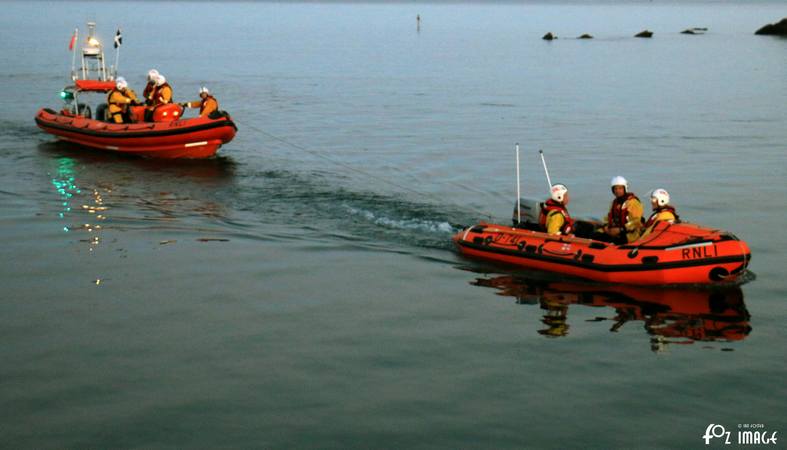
<point>301,290</point>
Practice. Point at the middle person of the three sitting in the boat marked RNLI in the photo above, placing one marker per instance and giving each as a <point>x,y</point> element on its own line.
<point>624,220</point>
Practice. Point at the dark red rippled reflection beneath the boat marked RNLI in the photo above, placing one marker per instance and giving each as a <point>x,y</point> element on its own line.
<point>669,316</point>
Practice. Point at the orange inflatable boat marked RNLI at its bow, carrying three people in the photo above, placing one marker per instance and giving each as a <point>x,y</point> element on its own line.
<point>672,254</point>
